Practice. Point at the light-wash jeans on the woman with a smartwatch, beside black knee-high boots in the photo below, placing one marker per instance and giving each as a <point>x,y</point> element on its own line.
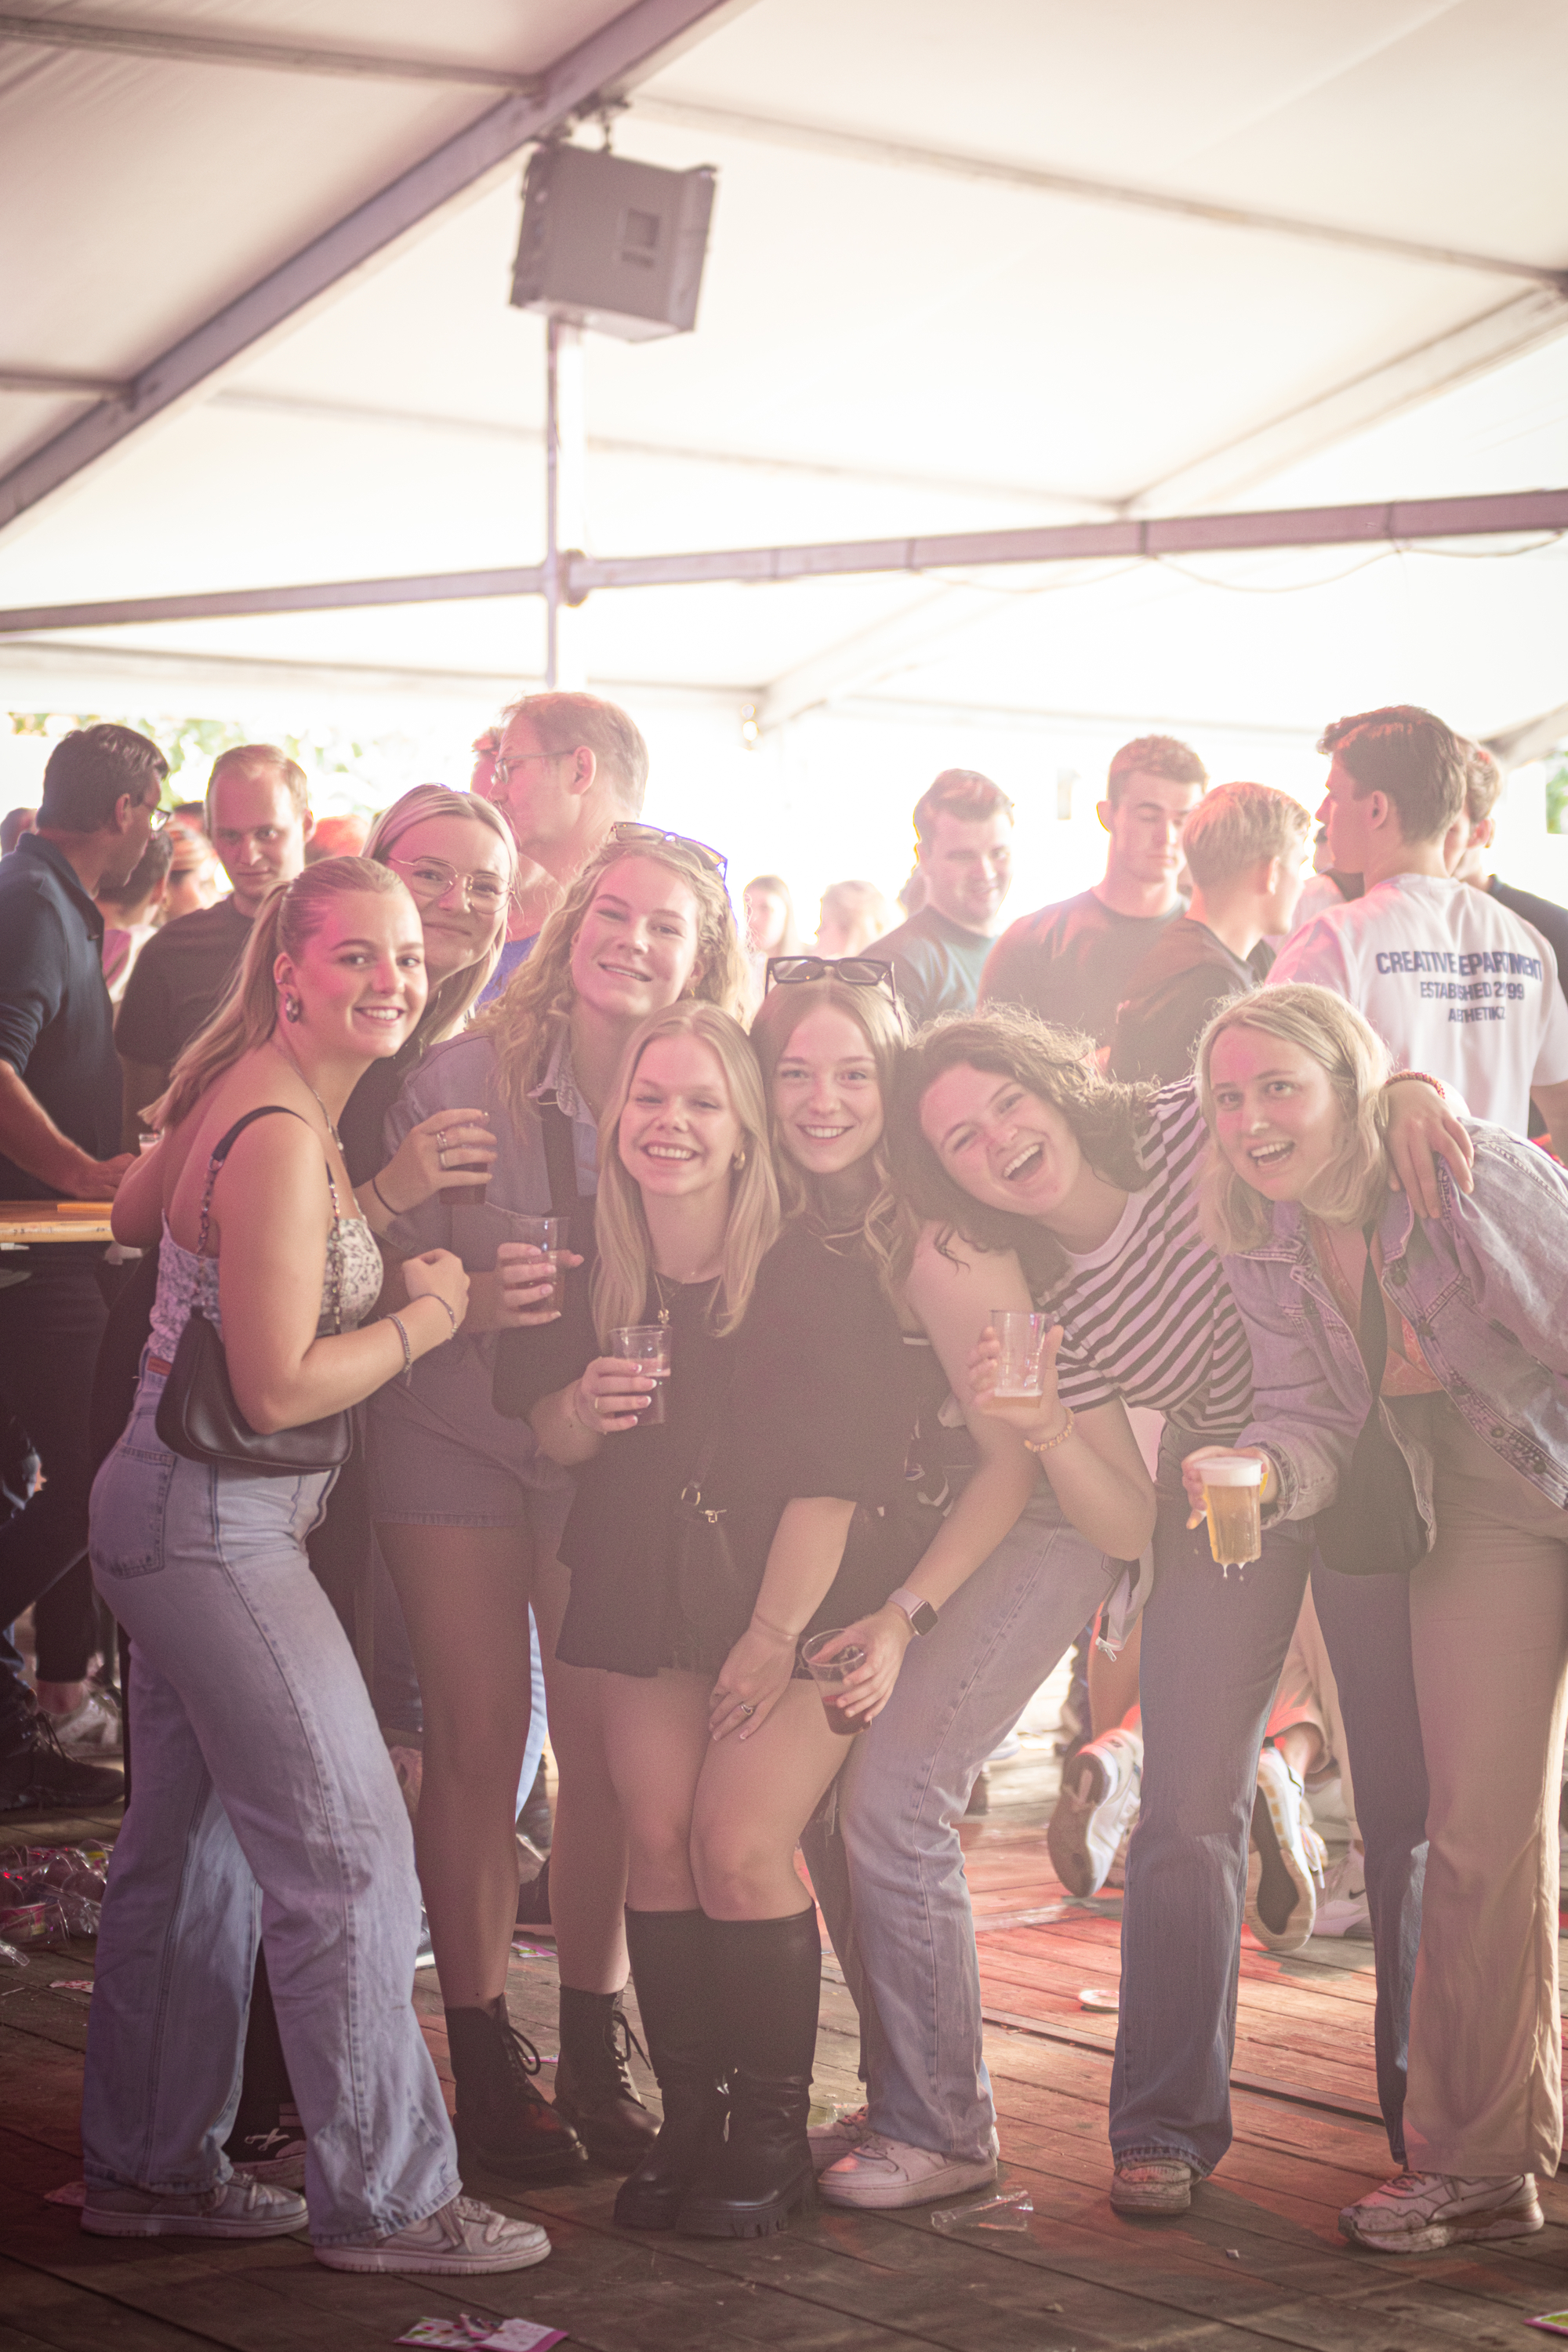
<point>892,1885</point>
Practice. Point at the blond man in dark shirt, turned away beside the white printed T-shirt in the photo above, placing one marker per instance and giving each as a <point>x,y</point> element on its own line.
<point>1245,853</point>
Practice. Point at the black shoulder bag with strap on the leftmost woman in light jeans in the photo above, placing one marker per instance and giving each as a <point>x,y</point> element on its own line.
<point>199,1417</point>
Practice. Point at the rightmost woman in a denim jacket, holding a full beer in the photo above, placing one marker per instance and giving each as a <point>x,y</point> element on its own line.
<point>1477,1401</point>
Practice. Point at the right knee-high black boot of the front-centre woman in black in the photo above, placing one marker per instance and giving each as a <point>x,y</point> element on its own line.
<point>770,1993</point>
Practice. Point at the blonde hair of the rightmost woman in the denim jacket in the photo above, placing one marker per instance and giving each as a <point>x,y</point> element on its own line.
<point>1334,1034</point>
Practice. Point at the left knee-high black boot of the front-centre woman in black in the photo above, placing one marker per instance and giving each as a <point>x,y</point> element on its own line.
<point>678,2000</point>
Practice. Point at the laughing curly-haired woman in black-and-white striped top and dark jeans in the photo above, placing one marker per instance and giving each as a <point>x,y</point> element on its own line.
<point>1010,1135</point>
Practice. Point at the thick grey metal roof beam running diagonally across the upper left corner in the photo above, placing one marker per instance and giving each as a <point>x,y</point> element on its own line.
<point>603,67</point>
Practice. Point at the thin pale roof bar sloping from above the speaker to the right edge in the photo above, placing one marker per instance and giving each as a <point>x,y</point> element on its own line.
<point>899,154</point>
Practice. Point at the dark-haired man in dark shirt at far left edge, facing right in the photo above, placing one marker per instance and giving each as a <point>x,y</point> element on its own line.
<point>60,1123</point>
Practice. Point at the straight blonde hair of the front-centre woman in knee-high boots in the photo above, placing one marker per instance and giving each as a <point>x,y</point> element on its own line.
<point>622,1229</point>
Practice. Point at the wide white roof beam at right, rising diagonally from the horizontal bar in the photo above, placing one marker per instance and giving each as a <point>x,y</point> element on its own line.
<point>1351,408</point>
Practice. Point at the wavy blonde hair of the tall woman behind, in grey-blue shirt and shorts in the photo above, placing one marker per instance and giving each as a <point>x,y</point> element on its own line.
<point>537,1003</point>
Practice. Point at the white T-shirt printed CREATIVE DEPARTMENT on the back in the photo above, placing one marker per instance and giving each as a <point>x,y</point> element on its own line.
<point>1452,982</point>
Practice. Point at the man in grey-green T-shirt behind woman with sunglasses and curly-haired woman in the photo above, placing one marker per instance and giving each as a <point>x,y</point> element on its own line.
<point>965,857</point>
